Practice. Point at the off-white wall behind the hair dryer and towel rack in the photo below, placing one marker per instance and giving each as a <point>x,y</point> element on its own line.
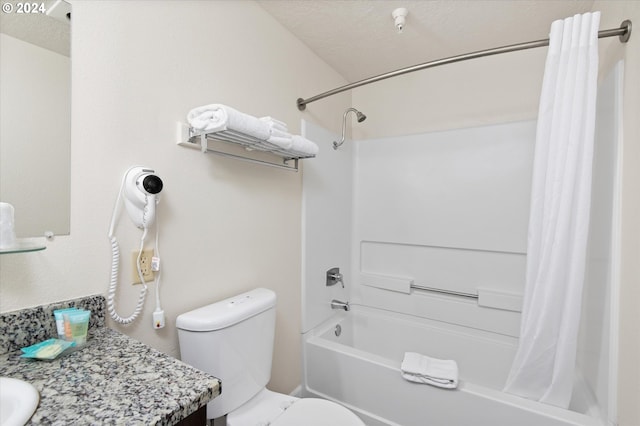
<point>226,226</point>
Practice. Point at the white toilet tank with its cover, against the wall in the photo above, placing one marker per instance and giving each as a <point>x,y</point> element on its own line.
<point>232,340</point>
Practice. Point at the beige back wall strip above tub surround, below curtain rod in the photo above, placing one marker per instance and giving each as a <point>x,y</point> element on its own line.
<point>502,88</point>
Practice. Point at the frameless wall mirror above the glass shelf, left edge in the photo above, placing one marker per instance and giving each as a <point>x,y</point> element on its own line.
<point>35,115</point>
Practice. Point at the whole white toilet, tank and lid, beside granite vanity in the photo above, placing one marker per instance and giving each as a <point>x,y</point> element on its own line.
<point>233,340</point>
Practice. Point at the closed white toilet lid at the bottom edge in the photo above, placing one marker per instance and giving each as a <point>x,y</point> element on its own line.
<point>317,412</point>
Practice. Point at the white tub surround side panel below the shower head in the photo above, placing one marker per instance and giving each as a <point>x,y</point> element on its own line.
<point>327,209</point>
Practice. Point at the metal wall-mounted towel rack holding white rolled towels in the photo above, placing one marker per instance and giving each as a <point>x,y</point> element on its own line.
<point>278,157</point>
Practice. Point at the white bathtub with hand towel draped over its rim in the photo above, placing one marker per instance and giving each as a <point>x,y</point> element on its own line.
<point>354,359</point>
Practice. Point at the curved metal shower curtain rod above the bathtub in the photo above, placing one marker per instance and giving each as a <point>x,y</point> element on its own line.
<point>624,32</point>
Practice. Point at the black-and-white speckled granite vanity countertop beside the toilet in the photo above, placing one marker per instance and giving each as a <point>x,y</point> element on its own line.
<point>113,379</point>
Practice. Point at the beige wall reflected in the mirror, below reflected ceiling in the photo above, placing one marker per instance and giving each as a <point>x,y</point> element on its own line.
<point>35,99</point>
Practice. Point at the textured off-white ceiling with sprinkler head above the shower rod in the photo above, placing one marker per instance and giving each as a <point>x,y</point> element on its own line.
<point>359,40</point>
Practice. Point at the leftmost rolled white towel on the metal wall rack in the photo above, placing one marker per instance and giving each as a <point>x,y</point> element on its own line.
<point>216,117</point>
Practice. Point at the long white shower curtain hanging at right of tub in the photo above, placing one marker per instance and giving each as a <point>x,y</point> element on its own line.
<point>543,368</point>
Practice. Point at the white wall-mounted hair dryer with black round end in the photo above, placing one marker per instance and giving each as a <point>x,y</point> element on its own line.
<point>141,189</point>
